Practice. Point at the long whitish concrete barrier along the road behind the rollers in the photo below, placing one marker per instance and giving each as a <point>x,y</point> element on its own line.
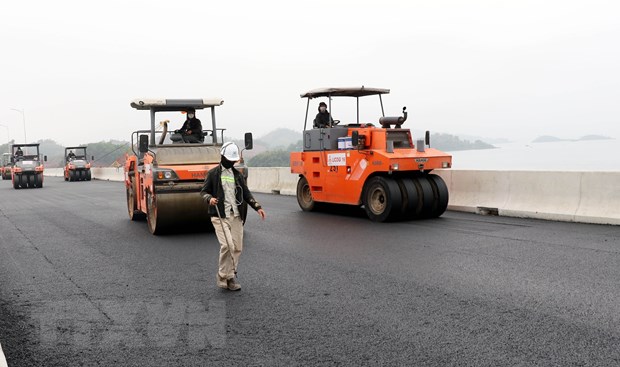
<point>588,197</point>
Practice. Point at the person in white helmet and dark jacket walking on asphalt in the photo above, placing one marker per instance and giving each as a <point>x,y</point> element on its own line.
<point>225,191</point>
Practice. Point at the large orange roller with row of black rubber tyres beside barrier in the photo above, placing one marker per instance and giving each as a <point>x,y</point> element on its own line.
<point>378,167</point>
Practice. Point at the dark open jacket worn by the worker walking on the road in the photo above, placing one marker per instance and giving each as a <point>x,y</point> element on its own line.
<point>213,188</point>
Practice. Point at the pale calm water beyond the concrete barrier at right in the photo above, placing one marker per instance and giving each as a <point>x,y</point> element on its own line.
<point>595,155</point>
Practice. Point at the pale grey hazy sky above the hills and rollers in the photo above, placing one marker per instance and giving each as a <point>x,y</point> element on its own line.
<point>514,69</point>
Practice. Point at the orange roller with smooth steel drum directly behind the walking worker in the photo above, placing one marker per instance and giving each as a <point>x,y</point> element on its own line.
<point>166,171</point>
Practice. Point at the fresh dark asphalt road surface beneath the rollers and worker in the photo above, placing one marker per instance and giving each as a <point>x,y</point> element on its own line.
<point>80,284</point>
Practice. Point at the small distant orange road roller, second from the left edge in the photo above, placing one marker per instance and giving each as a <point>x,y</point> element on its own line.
<point>27,170</point>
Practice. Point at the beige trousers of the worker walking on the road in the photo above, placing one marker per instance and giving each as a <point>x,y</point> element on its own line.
<point>233,231</point>
